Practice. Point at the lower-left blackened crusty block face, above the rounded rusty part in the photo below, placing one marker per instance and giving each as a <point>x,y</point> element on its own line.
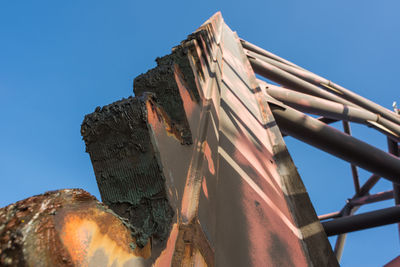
<point>127,171</point>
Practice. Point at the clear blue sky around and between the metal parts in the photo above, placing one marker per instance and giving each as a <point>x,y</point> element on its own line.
<point>59,60</point>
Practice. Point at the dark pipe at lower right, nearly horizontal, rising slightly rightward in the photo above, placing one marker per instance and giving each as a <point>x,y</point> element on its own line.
<point>362,221</point>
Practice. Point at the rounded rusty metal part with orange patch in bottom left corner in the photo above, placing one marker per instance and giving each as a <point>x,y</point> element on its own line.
<point>66,228</point>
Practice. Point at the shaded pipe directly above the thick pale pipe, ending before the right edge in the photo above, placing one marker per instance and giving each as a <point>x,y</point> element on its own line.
<point>291,81</point>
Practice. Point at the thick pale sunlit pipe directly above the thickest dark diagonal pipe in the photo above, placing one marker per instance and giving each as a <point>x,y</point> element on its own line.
<point>315,105</point>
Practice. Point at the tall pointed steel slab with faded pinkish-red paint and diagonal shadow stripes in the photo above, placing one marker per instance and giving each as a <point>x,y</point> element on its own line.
<point>217,152</point>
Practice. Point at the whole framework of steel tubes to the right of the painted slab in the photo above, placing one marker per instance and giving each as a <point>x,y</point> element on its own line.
<point>301,92</point>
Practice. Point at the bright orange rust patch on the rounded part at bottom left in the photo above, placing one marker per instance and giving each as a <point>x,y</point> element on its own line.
<point>88,229</point>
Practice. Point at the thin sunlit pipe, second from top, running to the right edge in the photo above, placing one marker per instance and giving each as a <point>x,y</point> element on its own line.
<point>330,86</point>
